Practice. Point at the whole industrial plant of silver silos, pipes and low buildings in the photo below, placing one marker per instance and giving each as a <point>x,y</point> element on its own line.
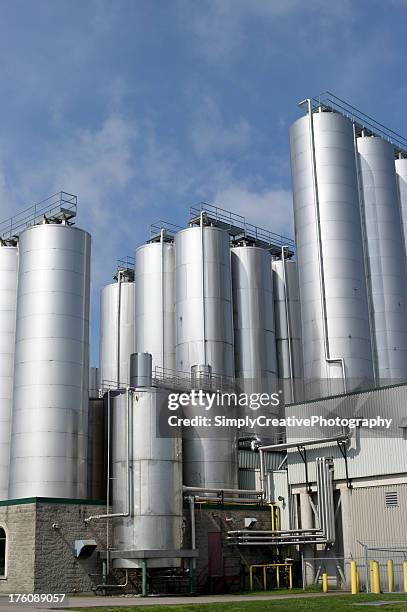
<point>99,492</point>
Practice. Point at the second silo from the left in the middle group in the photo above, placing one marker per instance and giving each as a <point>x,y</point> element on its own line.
<point>155,303</point>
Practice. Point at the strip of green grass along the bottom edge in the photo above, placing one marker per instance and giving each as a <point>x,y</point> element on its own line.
<point>320,604</point>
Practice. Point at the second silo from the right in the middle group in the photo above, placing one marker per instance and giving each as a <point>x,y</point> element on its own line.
<point>253,316</point>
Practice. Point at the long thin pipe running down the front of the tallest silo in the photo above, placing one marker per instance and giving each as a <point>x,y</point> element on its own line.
<point>328,358</point>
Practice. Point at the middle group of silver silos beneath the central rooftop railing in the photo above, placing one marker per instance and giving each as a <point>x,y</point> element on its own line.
<point>199,303</point>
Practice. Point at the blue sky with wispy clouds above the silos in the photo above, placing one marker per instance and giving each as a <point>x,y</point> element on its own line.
<point>144,107</point>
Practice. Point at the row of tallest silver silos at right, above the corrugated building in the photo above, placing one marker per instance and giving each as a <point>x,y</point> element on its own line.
<point>351,255</point>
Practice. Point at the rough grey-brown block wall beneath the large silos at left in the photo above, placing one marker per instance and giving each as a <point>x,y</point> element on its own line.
<point>41,558</point>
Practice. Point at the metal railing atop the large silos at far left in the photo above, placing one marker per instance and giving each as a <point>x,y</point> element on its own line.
<point>56,208</point>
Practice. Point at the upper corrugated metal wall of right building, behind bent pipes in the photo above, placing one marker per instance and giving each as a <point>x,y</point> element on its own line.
<point>371,452</point>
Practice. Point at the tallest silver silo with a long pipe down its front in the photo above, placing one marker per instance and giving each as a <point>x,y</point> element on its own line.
<point>334,304</point>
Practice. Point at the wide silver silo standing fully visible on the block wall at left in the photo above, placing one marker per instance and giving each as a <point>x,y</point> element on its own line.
<point>50,404</point>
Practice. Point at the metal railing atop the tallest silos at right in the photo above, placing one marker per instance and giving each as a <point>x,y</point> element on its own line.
<point>364,122</point>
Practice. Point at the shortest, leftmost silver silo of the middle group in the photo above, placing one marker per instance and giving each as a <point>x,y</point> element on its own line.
<point>117,331</point>
